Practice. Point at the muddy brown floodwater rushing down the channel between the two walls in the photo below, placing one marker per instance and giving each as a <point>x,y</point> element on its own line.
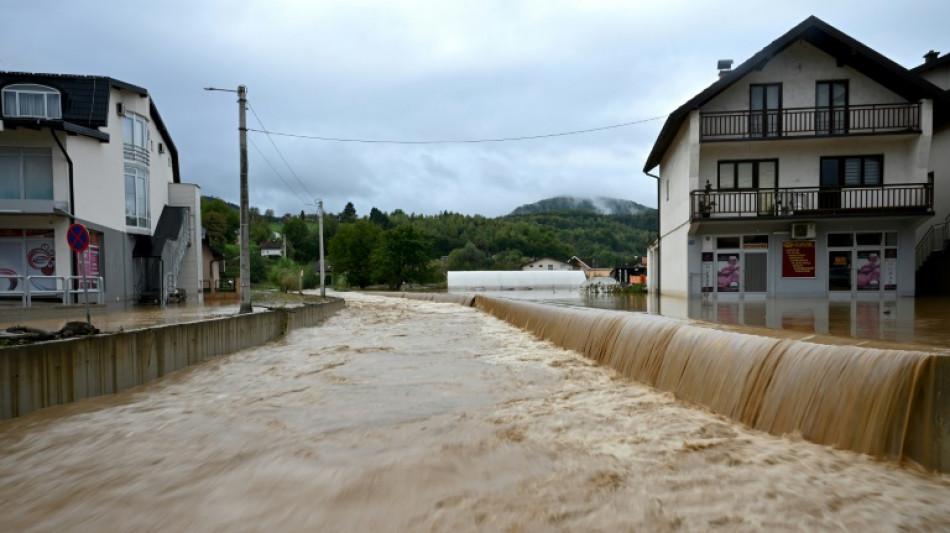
<point>402,415</point>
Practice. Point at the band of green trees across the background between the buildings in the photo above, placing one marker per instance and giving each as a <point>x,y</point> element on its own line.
<point>396,248</point>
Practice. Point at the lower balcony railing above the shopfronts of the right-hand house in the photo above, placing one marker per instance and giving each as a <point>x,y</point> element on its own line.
<point>794,202</point>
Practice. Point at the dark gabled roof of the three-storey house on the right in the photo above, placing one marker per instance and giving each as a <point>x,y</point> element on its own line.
<point>833,42</point>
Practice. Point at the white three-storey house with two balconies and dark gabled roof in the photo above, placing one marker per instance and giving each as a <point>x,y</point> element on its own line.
<point>805,171</point>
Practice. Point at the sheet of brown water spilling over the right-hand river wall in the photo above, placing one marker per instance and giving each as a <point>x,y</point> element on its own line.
<point>887,403</point>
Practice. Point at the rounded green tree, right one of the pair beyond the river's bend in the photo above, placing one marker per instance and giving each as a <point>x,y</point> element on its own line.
<point>402,255</point>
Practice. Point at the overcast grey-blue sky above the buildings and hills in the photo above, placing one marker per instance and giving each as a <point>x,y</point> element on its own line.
<point>419,70</point>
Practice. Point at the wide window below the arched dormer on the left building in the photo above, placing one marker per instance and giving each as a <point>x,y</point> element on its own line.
<point>26,174</point>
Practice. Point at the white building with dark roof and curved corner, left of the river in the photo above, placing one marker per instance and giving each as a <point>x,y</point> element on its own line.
<point>92,150</point>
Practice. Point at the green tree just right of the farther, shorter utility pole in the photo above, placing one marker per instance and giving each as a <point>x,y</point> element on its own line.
<point>351,251</point>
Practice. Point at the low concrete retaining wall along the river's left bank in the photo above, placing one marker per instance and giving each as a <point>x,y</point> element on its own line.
<point>50,373</point>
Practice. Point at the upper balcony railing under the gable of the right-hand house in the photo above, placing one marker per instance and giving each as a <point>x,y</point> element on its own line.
<point>809,122</point>
